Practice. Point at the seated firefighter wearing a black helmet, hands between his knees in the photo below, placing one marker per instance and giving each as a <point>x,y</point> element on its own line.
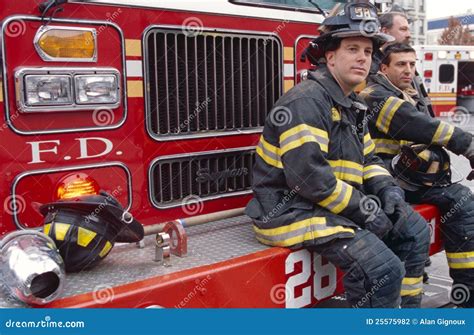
<point>315,178</point>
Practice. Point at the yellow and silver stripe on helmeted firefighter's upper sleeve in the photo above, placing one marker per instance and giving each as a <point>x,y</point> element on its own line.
<point>301,134</point>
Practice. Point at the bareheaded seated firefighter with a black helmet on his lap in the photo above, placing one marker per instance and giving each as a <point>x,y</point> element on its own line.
<point>396,115</point>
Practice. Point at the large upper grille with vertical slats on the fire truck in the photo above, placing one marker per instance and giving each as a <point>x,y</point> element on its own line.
<point>200,84</point>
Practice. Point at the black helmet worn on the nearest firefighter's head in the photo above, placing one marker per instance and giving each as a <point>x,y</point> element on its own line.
<point>354,19</point>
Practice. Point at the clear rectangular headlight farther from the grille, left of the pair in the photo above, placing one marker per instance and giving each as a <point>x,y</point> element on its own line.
<point>47,90</point>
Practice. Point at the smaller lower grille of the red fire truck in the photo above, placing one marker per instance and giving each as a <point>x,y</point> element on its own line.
<point>182,179</point>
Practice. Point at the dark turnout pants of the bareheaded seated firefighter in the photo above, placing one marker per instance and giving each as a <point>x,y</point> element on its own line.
<point>456,204</point>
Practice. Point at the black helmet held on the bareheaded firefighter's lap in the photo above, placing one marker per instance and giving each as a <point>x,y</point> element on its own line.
<point>418,166</point>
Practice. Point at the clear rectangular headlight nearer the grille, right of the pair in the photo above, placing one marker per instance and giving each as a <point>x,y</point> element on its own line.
<point>96,89</point>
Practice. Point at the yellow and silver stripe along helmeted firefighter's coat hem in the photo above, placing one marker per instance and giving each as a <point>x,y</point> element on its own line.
<point>298,232</point>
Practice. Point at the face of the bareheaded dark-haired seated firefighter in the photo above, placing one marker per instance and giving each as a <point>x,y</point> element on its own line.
<point>401,69</point>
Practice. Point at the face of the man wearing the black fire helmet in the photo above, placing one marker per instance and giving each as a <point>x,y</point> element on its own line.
<point>350,63</point>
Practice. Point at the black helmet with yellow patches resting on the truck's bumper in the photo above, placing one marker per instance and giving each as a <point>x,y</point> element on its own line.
<point>86,228</point>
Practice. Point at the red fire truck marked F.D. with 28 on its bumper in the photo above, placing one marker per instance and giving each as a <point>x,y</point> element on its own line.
<point>159,103</point>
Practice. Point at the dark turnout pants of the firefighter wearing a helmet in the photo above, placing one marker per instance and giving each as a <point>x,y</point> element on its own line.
<point>382,273</point>
